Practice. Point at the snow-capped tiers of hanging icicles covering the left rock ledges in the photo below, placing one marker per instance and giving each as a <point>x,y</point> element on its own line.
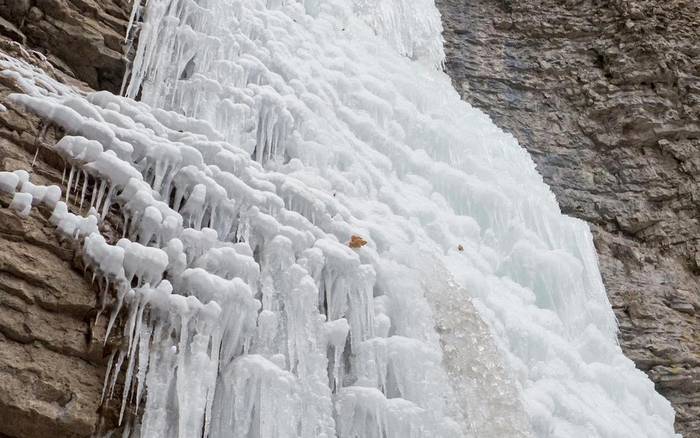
<point>238,307</point>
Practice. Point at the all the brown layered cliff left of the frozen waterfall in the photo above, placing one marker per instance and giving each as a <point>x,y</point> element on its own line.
<point>52,362</point>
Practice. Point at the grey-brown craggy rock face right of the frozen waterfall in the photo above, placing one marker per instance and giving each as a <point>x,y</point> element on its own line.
<point>606,97</point>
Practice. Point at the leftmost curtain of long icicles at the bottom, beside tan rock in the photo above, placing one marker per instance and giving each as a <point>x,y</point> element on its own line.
<point>192,363</point>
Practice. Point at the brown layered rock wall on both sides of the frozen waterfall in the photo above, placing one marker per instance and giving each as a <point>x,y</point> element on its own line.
<point>605,95</point>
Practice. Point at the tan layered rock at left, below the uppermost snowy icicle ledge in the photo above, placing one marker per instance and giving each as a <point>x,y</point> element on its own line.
<point>51,355</point>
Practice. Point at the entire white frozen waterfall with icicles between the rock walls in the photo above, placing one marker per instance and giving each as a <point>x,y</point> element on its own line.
<point>270,136</point>
